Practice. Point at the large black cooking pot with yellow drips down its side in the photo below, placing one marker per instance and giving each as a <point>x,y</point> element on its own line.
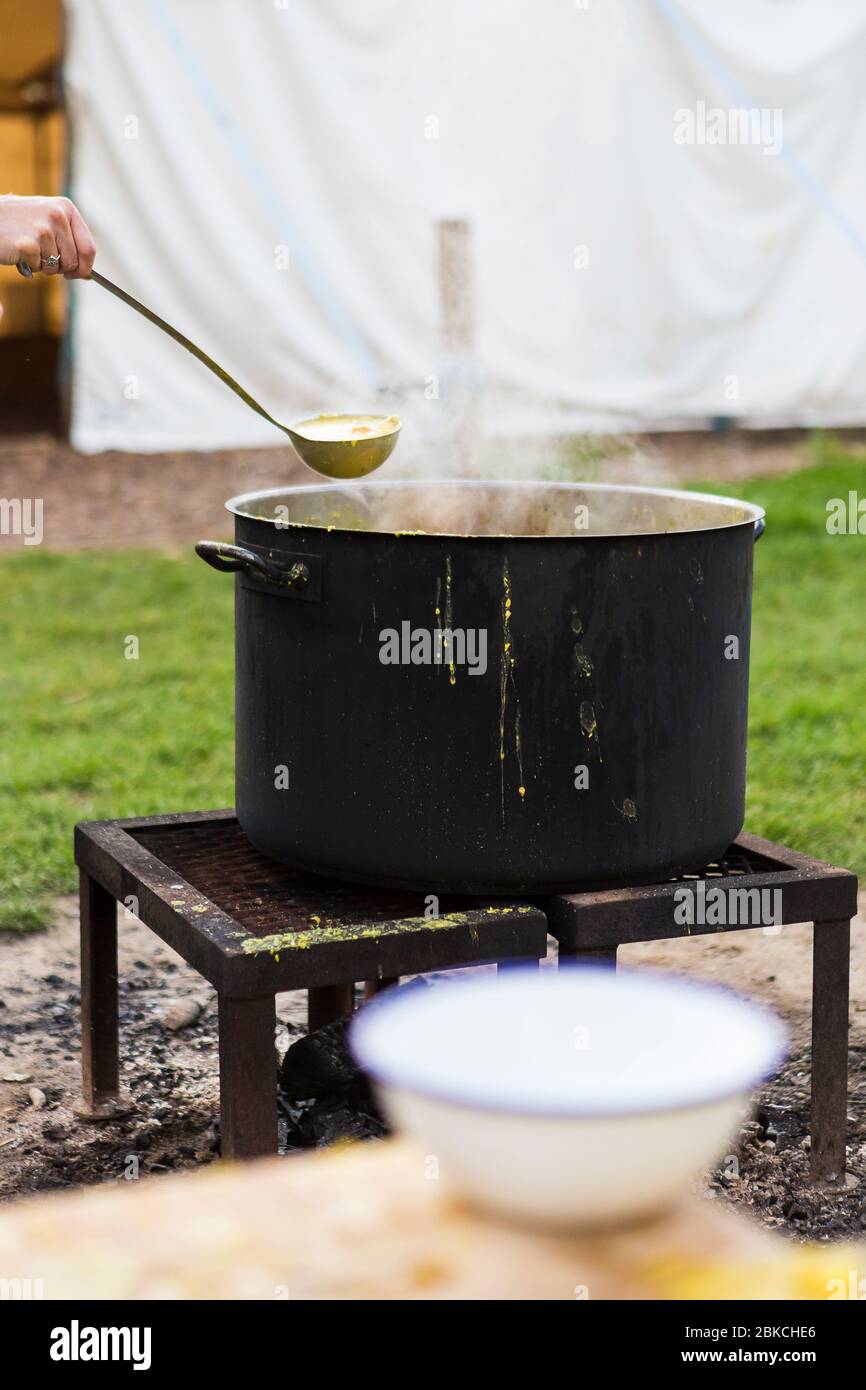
<point>586,723</point>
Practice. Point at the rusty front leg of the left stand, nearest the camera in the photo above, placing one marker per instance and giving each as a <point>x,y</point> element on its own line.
<point>248,1078</point>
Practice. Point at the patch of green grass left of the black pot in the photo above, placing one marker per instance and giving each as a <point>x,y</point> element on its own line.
<point>87,733</point>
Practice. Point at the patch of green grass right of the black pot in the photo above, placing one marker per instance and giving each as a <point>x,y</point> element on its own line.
<point>807,782</point>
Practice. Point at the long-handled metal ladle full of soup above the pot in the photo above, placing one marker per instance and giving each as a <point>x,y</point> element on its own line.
<point>352,455</point>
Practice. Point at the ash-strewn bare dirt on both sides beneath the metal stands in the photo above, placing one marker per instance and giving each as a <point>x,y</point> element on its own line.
<point>173,1075</point>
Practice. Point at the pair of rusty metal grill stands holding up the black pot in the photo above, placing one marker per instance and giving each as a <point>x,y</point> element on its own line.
<point>255,928</point>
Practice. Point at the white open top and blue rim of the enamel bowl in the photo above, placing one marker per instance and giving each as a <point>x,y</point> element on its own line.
<point>386,1032</point>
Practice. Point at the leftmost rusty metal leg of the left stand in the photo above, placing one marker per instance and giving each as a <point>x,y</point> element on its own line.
<point>99,1036</point>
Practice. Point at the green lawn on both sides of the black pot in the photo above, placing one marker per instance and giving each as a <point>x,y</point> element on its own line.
<point>88,735</point>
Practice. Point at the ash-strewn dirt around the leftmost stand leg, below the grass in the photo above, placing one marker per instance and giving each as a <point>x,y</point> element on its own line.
<point>172,1077</point>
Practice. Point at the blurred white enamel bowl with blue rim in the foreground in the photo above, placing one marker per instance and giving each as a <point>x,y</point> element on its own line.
<point>579,1097</point>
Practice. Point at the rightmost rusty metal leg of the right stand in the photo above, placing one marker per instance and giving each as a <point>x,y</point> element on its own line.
<point>831,972</point>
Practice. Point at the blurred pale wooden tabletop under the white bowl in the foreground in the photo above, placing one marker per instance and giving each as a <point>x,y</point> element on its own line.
<point>370,1223</point>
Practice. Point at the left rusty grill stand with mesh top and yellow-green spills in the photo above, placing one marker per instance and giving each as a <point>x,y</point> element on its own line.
<point>254,929</point>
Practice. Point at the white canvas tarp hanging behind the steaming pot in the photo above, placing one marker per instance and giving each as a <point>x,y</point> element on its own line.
<point>667,201</point>
